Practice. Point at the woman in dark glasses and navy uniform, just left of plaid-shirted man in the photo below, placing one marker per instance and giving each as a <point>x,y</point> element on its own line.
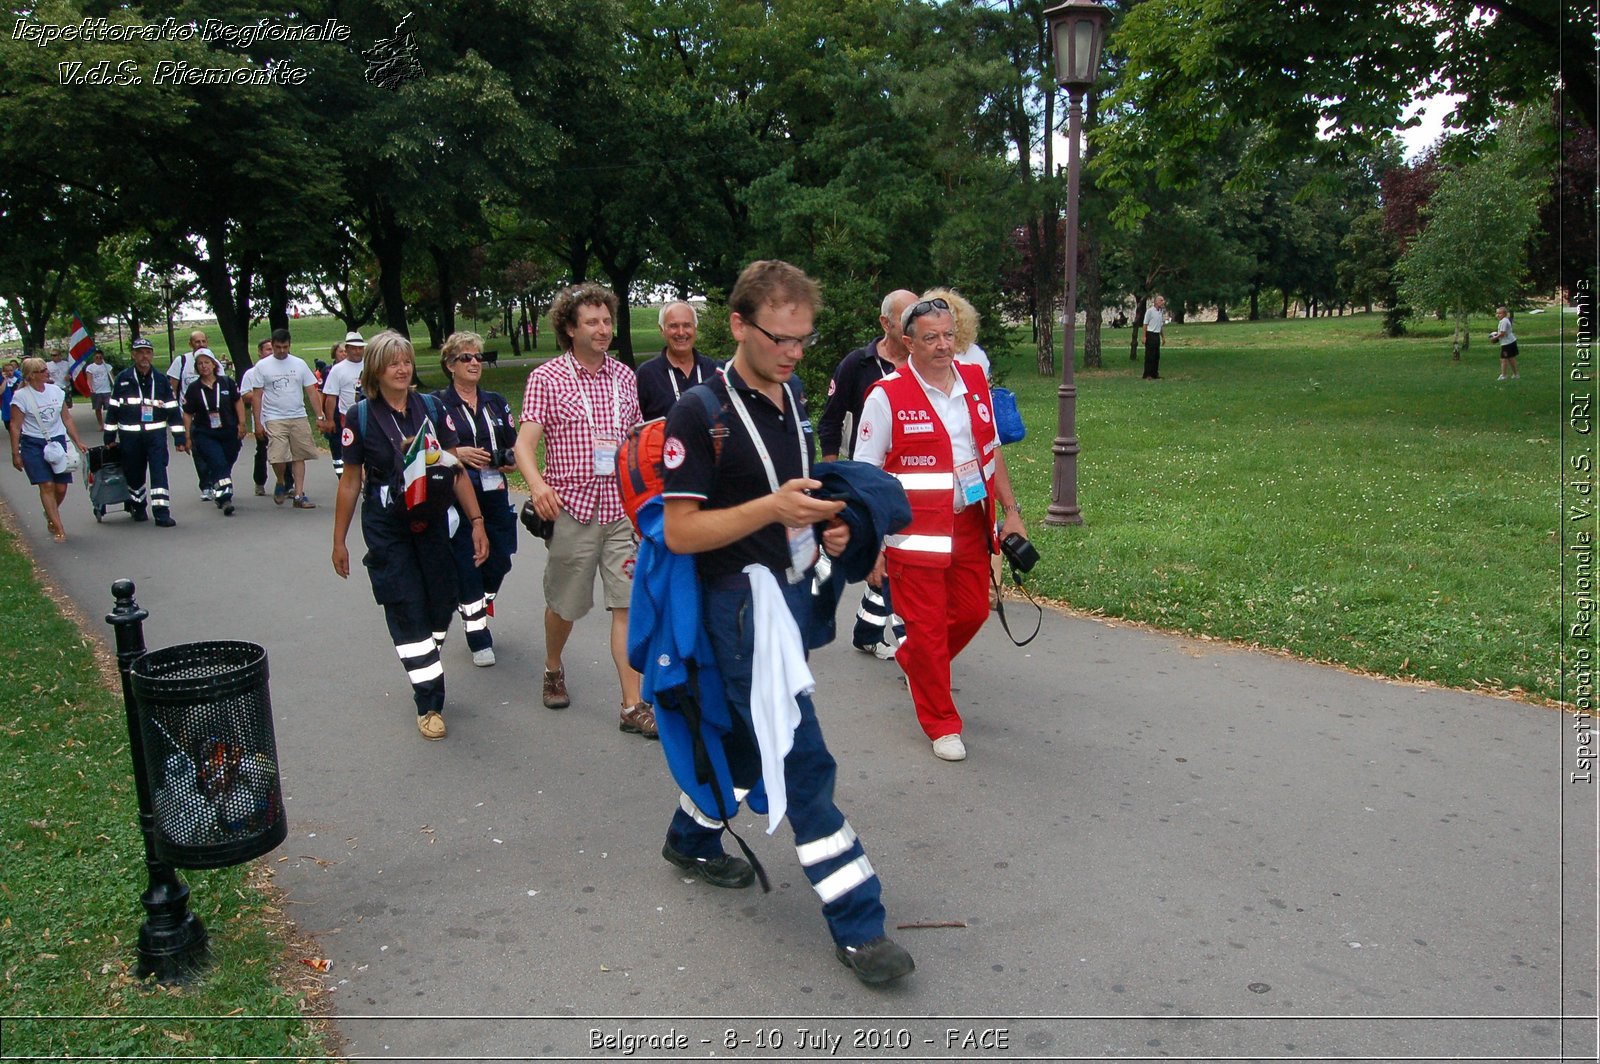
<point>484,425</point>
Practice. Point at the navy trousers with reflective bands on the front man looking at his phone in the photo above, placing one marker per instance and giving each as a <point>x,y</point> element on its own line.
<point>834,860</point>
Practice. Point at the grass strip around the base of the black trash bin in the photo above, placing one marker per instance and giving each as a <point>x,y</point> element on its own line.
<point>73,871</point>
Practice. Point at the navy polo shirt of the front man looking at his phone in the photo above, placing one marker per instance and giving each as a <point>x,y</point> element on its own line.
<point>738,476</point>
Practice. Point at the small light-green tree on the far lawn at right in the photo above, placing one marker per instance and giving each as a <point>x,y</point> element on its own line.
<point>1473,252</point>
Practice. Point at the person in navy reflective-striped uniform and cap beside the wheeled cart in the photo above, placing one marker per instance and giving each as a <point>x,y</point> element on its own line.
<point>138,415</point>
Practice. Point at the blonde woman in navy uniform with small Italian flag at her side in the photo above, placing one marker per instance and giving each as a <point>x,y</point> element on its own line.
<point>409,562</point>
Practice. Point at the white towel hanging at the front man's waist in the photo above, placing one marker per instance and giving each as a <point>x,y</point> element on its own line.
<point>778,674</point>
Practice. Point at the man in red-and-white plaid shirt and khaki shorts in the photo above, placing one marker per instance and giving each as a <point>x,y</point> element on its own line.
<point>582,407</point>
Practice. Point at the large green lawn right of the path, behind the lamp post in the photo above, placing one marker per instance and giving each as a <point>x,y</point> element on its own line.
<point>1316,487</point>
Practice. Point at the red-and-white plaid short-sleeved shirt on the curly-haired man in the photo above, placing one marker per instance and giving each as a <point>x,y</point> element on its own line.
<point>556,399</point>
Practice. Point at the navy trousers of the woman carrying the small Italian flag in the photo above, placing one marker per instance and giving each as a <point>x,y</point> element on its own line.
<point>415,583</point>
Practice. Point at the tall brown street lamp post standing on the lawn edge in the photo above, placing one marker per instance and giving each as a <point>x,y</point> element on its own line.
<point>1078,30</point>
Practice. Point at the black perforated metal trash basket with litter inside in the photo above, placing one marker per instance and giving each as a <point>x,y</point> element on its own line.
<point>212,756</point>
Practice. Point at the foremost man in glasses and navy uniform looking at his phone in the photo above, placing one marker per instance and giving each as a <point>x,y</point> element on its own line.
<point>743,503</point>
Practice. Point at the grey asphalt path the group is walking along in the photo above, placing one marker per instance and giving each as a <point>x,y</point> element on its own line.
<point>1159,847</point>
